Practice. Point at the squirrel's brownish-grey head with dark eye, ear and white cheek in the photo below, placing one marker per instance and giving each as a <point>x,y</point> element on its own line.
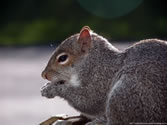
<point>61,66</point>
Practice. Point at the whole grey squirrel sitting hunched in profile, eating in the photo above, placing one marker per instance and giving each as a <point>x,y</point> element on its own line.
<point>107,85</point>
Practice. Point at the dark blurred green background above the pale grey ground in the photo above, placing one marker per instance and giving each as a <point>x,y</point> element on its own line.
<point>43,22</point>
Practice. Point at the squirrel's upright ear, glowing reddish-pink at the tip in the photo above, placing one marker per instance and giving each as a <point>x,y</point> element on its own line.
<point>85,38</point>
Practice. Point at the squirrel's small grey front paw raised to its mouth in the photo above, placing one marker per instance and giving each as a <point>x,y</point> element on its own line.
<point>47,91</point>
